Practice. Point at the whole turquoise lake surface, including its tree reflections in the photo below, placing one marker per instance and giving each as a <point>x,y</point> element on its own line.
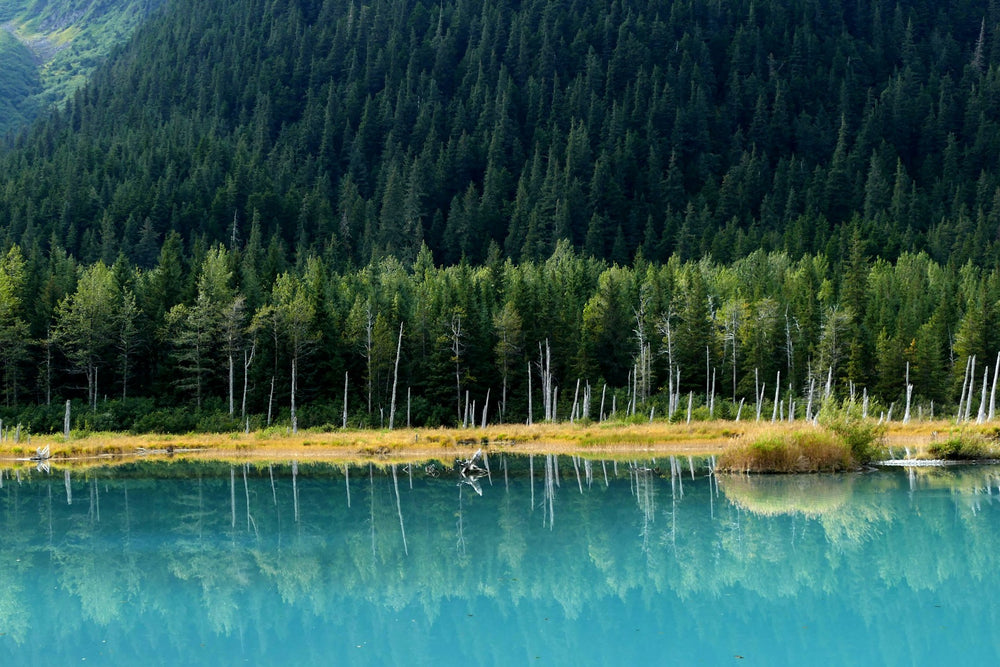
<point>548,560</point>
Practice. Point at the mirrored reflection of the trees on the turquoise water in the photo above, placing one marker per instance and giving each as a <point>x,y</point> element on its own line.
<point>220,549</point>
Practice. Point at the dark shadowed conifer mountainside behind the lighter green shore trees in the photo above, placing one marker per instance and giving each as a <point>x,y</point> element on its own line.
<point>685,127</point>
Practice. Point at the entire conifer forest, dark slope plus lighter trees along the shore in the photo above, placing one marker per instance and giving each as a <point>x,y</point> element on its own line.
<point>253,200</point>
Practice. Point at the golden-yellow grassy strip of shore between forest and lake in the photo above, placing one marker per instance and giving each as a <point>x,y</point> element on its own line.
<point>608,440</point>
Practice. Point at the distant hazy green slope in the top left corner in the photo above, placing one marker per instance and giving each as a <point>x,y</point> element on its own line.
<point>48,49</point>
